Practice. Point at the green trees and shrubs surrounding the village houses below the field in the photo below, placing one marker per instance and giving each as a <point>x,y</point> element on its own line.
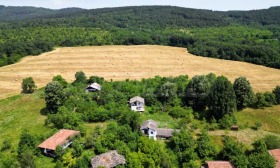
<point>194,107</point>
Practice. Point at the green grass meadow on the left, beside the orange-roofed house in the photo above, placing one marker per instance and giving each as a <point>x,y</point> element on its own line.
<point>23,112</point>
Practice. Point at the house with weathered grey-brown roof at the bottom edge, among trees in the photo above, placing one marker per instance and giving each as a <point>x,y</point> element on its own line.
<point>108,160</point>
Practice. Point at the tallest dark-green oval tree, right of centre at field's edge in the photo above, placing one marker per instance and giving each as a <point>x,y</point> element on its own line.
<point>221,99</point>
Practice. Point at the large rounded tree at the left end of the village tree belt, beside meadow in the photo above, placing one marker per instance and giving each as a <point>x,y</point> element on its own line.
<point>54,96</point>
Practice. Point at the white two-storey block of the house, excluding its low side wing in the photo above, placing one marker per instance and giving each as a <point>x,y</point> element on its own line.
<point>149,128</point>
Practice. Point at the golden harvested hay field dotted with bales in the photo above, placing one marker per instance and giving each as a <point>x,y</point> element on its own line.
<point>133,62</point>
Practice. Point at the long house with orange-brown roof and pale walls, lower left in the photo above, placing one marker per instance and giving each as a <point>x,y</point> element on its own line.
<point>61,138</point>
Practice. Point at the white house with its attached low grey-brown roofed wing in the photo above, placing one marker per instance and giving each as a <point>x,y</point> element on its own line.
<point>150,128</point>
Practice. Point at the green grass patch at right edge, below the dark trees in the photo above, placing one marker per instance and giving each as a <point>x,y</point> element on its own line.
<point>269,117</point>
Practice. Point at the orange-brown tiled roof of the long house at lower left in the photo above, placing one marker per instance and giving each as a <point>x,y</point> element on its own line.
<point>59,138</point>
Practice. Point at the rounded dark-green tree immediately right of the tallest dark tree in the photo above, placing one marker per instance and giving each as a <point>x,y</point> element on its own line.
<point>243,91</point>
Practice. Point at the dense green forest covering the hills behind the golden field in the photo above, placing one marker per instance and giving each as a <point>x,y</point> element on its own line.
<point>251,36</point>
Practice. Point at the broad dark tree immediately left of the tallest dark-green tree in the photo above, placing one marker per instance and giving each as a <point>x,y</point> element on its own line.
<point>197,92</point>
